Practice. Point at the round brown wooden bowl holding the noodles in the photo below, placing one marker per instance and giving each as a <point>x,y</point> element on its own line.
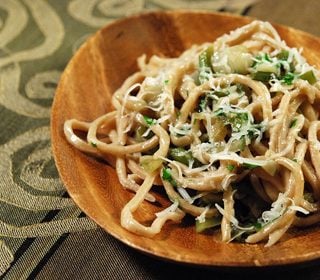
<point>84,92</point>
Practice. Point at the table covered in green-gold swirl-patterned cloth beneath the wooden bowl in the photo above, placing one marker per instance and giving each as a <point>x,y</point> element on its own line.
<point>44,235</point>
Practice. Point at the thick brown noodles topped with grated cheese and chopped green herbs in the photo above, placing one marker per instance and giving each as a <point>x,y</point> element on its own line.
<point>229,129</point>
